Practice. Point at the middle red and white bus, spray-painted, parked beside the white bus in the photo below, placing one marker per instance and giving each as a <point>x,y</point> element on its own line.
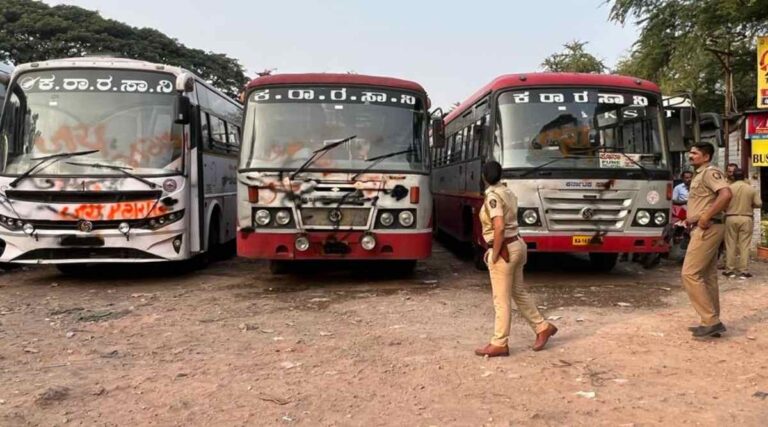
<point>334,166</point>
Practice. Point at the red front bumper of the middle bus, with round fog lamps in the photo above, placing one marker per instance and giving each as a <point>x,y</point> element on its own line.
<point>334,245</point>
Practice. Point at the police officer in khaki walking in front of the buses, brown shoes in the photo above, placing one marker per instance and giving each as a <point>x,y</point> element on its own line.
<point>505,258</point>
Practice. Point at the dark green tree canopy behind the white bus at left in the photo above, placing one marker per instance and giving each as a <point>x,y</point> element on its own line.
<point>32,31</point>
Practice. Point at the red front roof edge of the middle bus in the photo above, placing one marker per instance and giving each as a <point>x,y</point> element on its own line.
<point>334,79</point>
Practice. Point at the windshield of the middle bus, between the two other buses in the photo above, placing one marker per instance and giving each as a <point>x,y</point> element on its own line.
<point>284,126</point>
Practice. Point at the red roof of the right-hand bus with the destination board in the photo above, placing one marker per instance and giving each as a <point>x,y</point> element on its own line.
<point>528,80</point>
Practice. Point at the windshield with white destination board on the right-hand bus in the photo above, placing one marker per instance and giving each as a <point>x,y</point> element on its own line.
<point>579,128</point>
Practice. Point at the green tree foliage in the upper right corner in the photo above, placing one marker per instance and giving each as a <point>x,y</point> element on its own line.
<point>682,45</point>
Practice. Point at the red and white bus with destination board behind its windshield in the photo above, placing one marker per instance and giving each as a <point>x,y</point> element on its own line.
<point>586,155</point>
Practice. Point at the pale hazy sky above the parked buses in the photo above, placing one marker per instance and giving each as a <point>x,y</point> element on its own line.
<point>450,47</point>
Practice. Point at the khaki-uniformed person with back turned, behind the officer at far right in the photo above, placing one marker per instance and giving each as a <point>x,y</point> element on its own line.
<point>738,226</point>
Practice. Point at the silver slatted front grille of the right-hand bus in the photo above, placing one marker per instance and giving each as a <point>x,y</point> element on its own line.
<point>587,210</point>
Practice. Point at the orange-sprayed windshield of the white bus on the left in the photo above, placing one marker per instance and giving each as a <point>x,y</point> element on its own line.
<point>126,115</point>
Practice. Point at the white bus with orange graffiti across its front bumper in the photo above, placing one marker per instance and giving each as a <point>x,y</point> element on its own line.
<point>115,160</point>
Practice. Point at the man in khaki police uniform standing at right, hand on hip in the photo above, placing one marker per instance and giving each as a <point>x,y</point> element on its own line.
<point>708,198</point>
